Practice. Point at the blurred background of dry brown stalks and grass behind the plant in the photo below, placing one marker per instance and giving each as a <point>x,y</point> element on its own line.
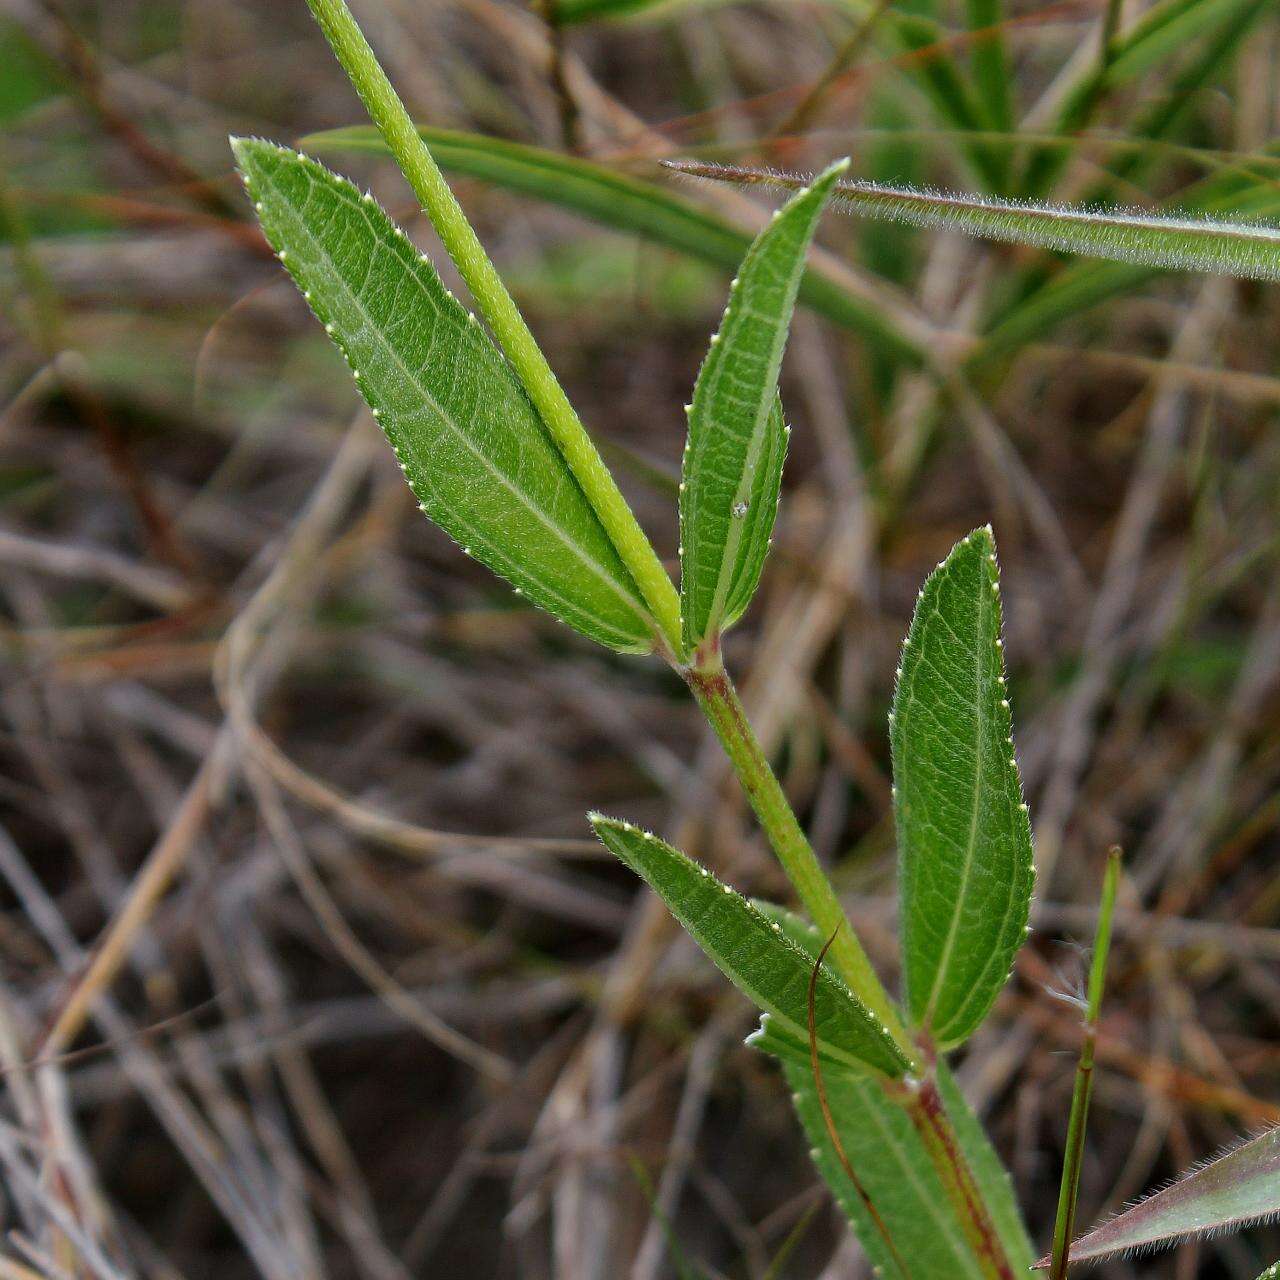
<point>387,1012</point>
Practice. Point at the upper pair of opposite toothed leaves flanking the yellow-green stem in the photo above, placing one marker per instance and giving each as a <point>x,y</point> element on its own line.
<point>472,445</point>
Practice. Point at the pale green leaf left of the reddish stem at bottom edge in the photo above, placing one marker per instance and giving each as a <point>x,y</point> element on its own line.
<point>890,1160</point>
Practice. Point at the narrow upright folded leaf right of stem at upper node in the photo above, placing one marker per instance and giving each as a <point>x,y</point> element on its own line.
<point>733,467</point>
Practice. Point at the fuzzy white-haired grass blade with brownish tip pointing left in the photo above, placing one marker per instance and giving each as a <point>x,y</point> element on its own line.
<point>1149,240</point>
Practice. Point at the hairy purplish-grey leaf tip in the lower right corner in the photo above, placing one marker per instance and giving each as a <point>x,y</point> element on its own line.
<point>1238,1188</point>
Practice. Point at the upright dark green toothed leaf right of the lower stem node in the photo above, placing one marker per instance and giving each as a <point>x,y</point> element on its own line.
<point>964,835</point>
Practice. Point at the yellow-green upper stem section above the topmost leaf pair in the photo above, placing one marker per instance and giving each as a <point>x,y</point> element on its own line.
<point>501,313</point>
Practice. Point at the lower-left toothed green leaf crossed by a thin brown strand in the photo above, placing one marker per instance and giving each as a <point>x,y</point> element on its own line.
<point>755,954</point>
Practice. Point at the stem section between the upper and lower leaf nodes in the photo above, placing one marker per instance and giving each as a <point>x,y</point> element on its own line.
<point>724,710</point>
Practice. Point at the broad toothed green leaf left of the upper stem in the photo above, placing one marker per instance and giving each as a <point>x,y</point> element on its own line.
<point>469,442</point>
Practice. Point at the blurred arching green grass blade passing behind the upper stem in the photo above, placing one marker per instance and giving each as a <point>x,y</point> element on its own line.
<point>627,205</point>
